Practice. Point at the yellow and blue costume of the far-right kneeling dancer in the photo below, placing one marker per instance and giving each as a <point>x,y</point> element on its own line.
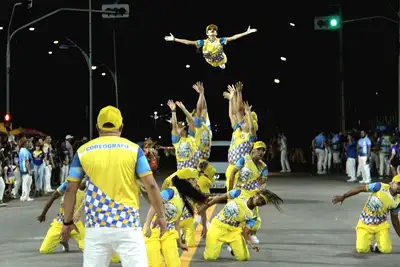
<point>373,219</point>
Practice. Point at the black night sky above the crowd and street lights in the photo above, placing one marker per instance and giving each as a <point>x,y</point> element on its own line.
<point>50,92</point>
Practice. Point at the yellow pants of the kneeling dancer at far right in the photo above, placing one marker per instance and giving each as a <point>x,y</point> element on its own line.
<point>365,234</point>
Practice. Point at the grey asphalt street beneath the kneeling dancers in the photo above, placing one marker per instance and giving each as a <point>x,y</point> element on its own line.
<point>310,231</point>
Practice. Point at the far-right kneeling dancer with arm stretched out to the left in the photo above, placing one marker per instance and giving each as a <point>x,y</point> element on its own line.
<point>383,201</point>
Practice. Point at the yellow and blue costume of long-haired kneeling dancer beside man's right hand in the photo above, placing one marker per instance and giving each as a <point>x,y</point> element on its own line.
<point>167,245</point>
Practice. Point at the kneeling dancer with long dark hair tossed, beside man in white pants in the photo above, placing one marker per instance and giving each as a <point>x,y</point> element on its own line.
<point>178,196</point>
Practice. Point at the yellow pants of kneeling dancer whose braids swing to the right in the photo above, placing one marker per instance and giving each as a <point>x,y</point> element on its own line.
<point>218,234</point>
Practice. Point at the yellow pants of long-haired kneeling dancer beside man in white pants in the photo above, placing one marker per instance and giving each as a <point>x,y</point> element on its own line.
<point>166,246</point>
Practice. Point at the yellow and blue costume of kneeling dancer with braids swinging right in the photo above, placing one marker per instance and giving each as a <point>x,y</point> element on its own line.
<point>227,227</point>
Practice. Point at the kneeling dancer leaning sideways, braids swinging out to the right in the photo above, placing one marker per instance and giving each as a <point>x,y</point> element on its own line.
<point>234,222</point>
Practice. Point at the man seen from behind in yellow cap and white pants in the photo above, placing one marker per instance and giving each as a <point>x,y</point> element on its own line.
<point>113,164</point>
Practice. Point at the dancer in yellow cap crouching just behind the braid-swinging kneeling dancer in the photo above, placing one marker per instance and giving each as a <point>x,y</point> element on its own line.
<point>251,174</point>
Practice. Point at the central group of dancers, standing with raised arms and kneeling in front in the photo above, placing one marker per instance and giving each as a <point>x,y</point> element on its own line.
<point>185,192</point>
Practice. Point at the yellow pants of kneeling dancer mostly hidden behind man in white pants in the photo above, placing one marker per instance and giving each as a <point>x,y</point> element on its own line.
<point>53,238</point>
